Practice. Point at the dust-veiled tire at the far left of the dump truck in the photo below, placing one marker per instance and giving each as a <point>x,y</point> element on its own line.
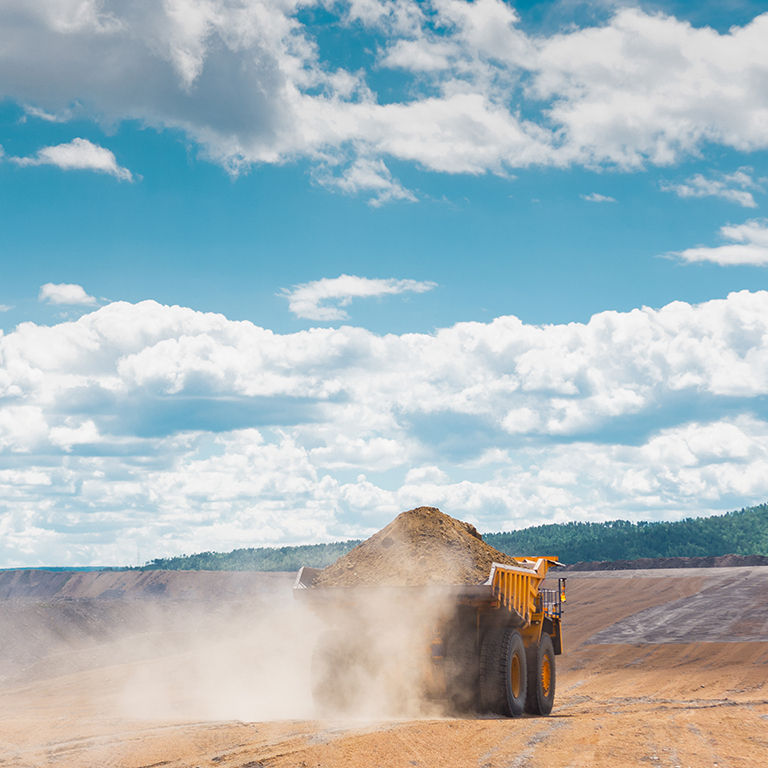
<point>335,674</point>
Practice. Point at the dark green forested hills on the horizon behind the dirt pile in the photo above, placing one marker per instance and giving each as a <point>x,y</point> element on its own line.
<point>739,533</point>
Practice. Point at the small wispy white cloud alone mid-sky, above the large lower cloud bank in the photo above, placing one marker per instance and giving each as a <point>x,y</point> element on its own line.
<point>323,299</point>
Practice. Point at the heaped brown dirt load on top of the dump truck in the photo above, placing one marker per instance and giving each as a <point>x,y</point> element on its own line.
<point>420,547</point>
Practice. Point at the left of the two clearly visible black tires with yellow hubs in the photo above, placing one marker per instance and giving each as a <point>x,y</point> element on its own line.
<point>503,677</point>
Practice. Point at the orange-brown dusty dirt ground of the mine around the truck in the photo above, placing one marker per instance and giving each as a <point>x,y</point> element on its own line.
<point>666,668</point>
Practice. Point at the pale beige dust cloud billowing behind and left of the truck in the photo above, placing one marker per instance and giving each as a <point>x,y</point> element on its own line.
<point>245,660</point>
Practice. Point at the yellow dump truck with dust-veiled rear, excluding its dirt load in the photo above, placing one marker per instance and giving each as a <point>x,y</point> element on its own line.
<point>487,647</point>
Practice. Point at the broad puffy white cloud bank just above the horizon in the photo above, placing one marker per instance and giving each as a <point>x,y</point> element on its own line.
<point>183,431</point>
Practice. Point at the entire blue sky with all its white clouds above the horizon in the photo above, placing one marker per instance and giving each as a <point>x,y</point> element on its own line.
<point>338,259</point>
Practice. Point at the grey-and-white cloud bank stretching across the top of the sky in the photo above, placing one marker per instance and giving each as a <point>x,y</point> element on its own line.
<point>247,81</point>
